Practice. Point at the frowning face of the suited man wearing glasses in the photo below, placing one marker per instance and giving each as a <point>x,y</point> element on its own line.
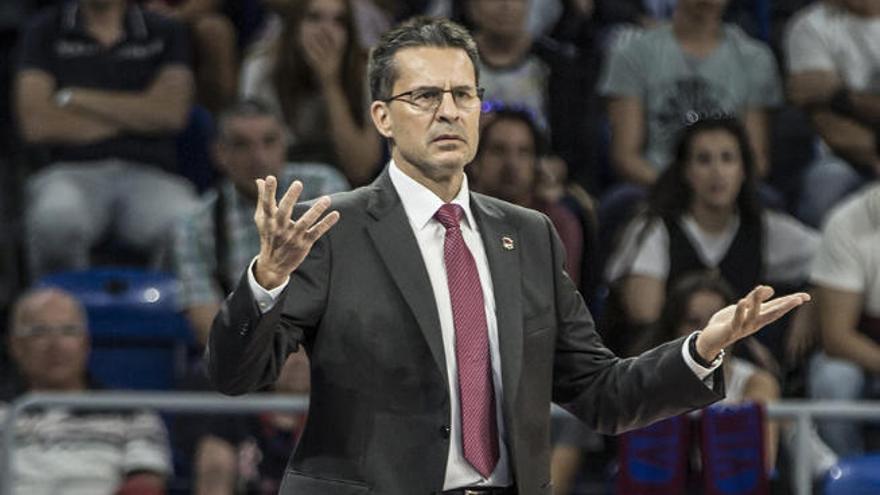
<point>435,144</point>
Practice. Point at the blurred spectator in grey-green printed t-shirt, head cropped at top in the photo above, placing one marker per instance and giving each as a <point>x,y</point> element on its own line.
<point>673,75</point>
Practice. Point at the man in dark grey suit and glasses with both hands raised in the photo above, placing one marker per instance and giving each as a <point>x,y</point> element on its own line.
<point>439,323</point>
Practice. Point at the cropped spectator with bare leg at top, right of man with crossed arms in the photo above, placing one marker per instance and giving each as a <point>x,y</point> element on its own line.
<point>216,66</point>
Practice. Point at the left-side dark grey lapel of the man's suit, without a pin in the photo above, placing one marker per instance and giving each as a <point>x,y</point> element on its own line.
<point>399,250</point>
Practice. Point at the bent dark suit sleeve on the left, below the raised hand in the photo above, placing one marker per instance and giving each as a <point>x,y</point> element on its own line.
<point>246,349</point>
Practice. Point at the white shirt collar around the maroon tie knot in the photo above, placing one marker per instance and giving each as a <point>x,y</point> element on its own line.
<point>420,203</point>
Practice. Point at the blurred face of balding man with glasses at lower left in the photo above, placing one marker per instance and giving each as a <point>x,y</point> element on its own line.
<point>50,345</point>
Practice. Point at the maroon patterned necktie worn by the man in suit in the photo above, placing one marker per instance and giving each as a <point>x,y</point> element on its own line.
<point>479,430</point>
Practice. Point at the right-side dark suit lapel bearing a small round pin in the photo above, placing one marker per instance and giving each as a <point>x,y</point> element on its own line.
<point>500,239</point>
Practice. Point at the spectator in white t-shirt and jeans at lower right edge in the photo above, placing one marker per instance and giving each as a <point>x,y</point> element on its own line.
<point>846,274</point>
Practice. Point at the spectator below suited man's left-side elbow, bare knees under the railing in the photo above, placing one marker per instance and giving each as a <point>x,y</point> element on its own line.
<point>236,454</point>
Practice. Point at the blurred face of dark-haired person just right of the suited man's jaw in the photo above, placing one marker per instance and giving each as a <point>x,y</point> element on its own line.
<point>506,165</point>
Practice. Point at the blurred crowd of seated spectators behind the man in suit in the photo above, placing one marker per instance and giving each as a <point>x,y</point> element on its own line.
<point>685,150</point>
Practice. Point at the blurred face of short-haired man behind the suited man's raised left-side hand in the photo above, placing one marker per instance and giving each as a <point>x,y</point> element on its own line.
<point>250,148</point>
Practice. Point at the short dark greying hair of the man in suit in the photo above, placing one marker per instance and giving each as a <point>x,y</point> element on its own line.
<point>417,32</point>
